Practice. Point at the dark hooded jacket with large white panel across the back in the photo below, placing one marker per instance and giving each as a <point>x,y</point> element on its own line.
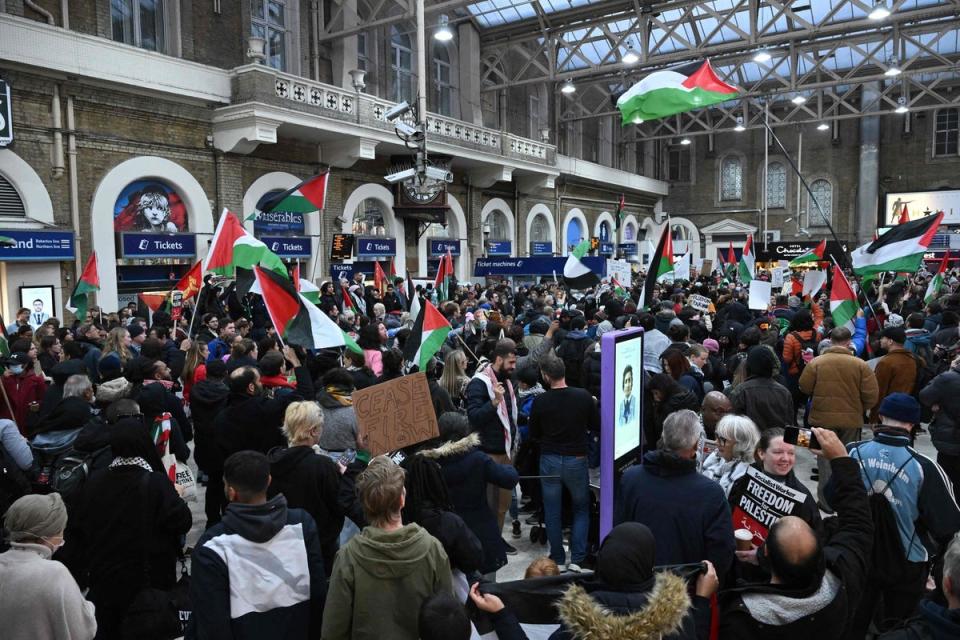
<point>258,574</point>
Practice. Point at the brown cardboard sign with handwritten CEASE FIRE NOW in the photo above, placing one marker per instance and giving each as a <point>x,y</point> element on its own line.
<point>395,414</point>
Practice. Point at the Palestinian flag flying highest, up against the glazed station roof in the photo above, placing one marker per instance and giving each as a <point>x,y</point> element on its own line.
<point>671,91</point>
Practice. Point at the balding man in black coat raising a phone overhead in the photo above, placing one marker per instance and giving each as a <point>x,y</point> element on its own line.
<point>814,588</point>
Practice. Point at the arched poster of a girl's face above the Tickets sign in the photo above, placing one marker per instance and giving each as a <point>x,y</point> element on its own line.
<point>149,206</point>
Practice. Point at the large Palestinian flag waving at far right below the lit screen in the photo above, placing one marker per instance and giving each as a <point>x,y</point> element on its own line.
<point>901,248</point>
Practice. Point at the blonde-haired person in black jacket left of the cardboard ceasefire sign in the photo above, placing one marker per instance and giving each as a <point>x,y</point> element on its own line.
<point>309,479</point>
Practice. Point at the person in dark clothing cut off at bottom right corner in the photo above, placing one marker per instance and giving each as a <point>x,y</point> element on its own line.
<point>934,620</point>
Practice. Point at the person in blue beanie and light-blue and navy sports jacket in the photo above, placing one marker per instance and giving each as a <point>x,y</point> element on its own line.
<point>921,499</point>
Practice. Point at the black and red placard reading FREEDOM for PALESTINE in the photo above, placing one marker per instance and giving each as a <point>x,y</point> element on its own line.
<point>761,501</point>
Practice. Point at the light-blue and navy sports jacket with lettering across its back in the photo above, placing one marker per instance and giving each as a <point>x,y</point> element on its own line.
<point>921,493</point>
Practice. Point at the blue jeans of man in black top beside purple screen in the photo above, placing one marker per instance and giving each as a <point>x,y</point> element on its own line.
<point>572,472</point>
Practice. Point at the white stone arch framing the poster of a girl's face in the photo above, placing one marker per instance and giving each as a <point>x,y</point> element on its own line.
<point>199,213</point>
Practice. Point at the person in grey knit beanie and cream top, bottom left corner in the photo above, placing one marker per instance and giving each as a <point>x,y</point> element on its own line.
<point>39,598</point>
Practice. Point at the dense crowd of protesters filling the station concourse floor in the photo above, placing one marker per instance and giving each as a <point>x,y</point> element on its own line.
<point>103,423</point>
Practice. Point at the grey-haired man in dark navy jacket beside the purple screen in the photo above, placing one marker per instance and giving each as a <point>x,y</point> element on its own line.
<point>687,513</point>
